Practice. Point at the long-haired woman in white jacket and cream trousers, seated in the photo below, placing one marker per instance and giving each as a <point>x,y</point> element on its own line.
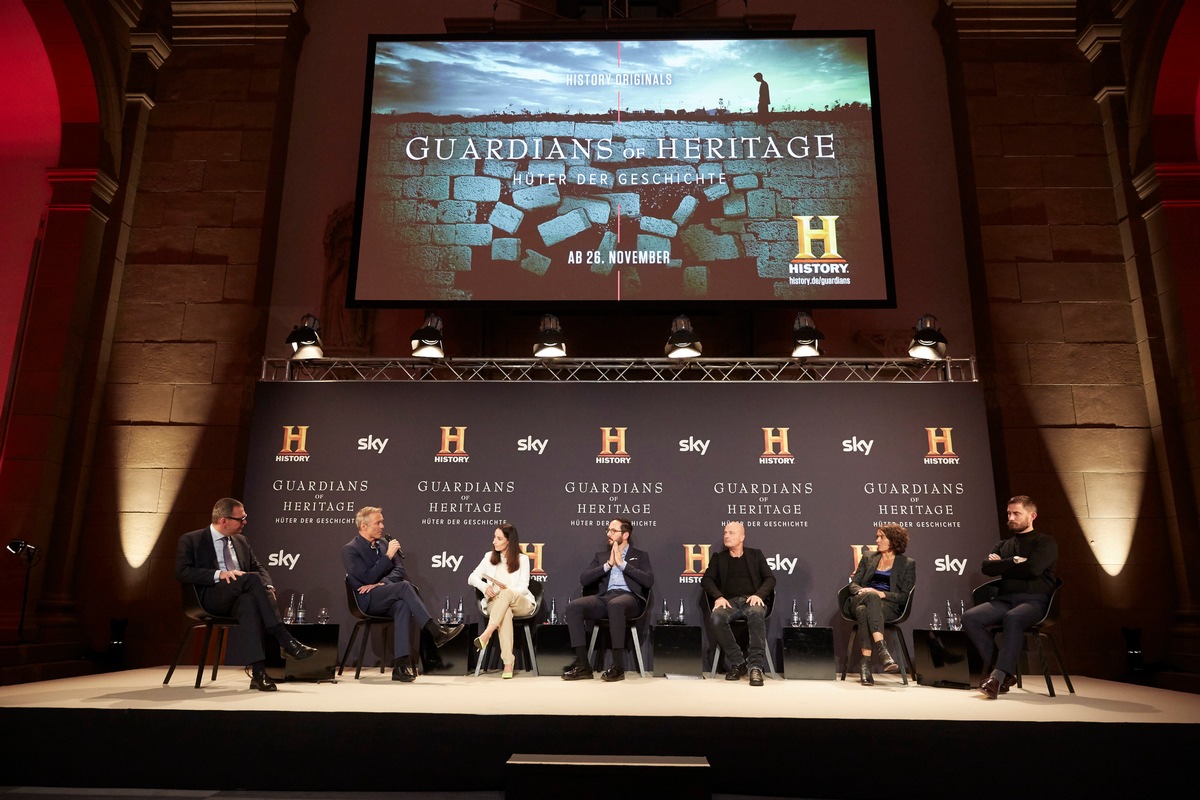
<point>503,576</point>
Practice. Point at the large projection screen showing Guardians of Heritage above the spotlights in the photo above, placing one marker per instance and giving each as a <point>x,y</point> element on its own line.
<point>639,171</point>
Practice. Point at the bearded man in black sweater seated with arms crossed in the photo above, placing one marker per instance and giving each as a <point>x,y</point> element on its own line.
<point>1024,564</point>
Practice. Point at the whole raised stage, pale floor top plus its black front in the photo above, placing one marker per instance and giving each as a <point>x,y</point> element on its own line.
<point>789,739</point>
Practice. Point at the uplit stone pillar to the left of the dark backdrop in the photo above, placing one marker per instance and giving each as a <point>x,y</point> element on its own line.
<point>193,308</point>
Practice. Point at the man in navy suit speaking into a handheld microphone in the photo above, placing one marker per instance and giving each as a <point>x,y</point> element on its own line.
<point>375,567</point>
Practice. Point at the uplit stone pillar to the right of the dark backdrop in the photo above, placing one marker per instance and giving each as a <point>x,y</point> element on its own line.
<point>1072,381</point>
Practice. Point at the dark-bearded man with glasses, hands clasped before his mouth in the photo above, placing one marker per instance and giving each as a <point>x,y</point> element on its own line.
<point>622,576</point>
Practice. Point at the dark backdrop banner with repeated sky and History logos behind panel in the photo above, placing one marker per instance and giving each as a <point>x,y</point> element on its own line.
<point>812,470</point>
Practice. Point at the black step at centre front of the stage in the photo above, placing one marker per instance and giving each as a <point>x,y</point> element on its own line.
<point>543,777</point>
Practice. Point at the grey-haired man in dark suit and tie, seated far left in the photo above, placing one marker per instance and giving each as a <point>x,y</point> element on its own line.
<point>231,582</point>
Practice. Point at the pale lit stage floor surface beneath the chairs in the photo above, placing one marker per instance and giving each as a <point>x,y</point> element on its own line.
<point>1096,701</point>
